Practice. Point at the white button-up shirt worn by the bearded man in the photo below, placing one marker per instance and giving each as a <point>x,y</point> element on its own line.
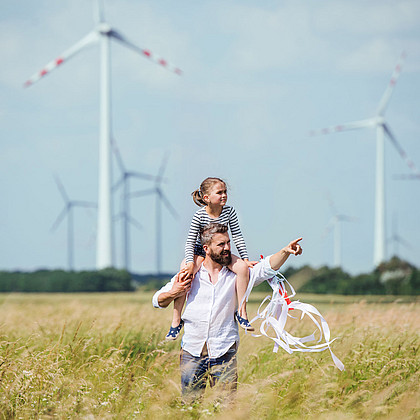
<point>210,308</point>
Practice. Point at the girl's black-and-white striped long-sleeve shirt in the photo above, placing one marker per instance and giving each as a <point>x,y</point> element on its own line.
<point>201,219</point>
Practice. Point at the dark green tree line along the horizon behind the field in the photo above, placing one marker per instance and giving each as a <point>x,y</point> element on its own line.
<point>395,277</point>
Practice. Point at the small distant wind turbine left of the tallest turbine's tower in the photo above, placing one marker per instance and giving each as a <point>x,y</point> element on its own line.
<point>68,211</point>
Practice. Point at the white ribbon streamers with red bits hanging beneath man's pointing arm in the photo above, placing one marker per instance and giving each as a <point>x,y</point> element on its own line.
<point>275,315</point>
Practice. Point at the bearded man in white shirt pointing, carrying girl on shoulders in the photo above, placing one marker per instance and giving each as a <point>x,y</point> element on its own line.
<point>211,338</point>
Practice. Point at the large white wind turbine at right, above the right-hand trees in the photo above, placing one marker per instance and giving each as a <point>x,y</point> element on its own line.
<point>382,128</point>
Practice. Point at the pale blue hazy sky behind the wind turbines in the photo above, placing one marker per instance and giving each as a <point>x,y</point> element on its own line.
<point>257,77</point>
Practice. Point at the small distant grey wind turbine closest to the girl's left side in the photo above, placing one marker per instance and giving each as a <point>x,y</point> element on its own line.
<point>160,198</point>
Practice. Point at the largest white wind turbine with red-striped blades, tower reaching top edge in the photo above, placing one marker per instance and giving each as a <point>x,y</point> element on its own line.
<point>102,33</point>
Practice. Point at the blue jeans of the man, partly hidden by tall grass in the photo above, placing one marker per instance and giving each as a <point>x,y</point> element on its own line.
<point>196,371</point>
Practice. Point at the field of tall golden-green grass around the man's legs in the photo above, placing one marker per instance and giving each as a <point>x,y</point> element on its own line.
<point>103,356</point>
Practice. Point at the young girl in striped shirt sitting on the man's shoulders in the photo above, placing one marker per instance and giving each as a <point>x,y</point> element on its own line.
<point>212,197</point>
